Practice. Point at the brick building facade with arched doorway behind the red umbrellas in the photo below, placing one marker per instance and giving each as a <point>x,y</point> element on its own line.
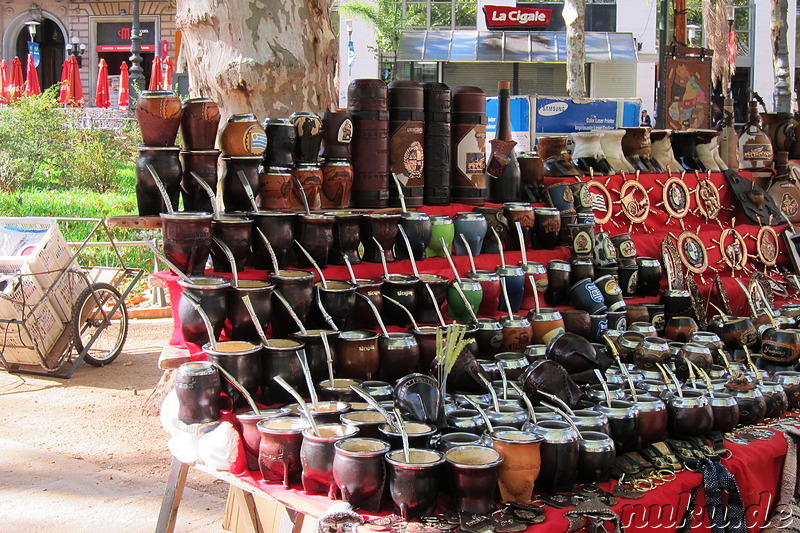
<point>98,29</point>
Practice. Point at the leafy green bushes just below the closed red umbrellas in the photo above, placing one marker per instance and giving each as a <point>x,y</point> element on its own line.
<point>41,149</point>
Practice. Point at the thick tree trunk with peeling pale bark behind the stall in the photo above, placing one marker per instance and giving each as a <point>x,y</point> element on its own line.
<point>268,57</point>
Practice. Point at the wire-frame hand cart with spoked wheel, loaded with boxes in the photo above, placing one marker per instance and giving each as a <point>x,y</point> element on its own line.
<point>54,313</point>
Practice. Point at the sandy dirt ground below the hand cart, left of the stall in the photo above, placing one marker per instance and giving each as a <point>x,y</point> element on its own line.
<point>96,416</point>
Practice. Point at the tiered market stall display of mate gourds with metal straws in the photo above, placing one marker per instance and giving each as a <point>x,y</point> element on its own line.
<point>449,314</point>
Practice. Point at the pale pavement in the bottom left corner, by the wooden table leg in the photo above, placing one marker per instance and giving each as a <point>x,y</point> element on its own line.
<point>43,491</point>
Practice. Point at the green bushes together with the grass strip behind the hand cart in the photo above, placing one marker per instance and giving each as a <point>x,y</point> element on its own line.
<point>50,168</point>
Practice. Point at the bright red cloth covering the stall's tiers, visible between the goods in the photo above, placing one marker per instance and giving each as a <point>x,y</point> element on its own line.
<point>757,466</point>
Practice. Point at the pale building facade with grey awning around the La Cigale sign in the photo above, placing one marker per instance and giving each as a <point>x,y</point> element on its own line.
<point>608,76</point>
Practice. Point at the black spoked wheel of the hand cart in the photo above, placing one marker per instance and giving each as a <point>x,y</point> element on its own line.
<point>92,314</point>
